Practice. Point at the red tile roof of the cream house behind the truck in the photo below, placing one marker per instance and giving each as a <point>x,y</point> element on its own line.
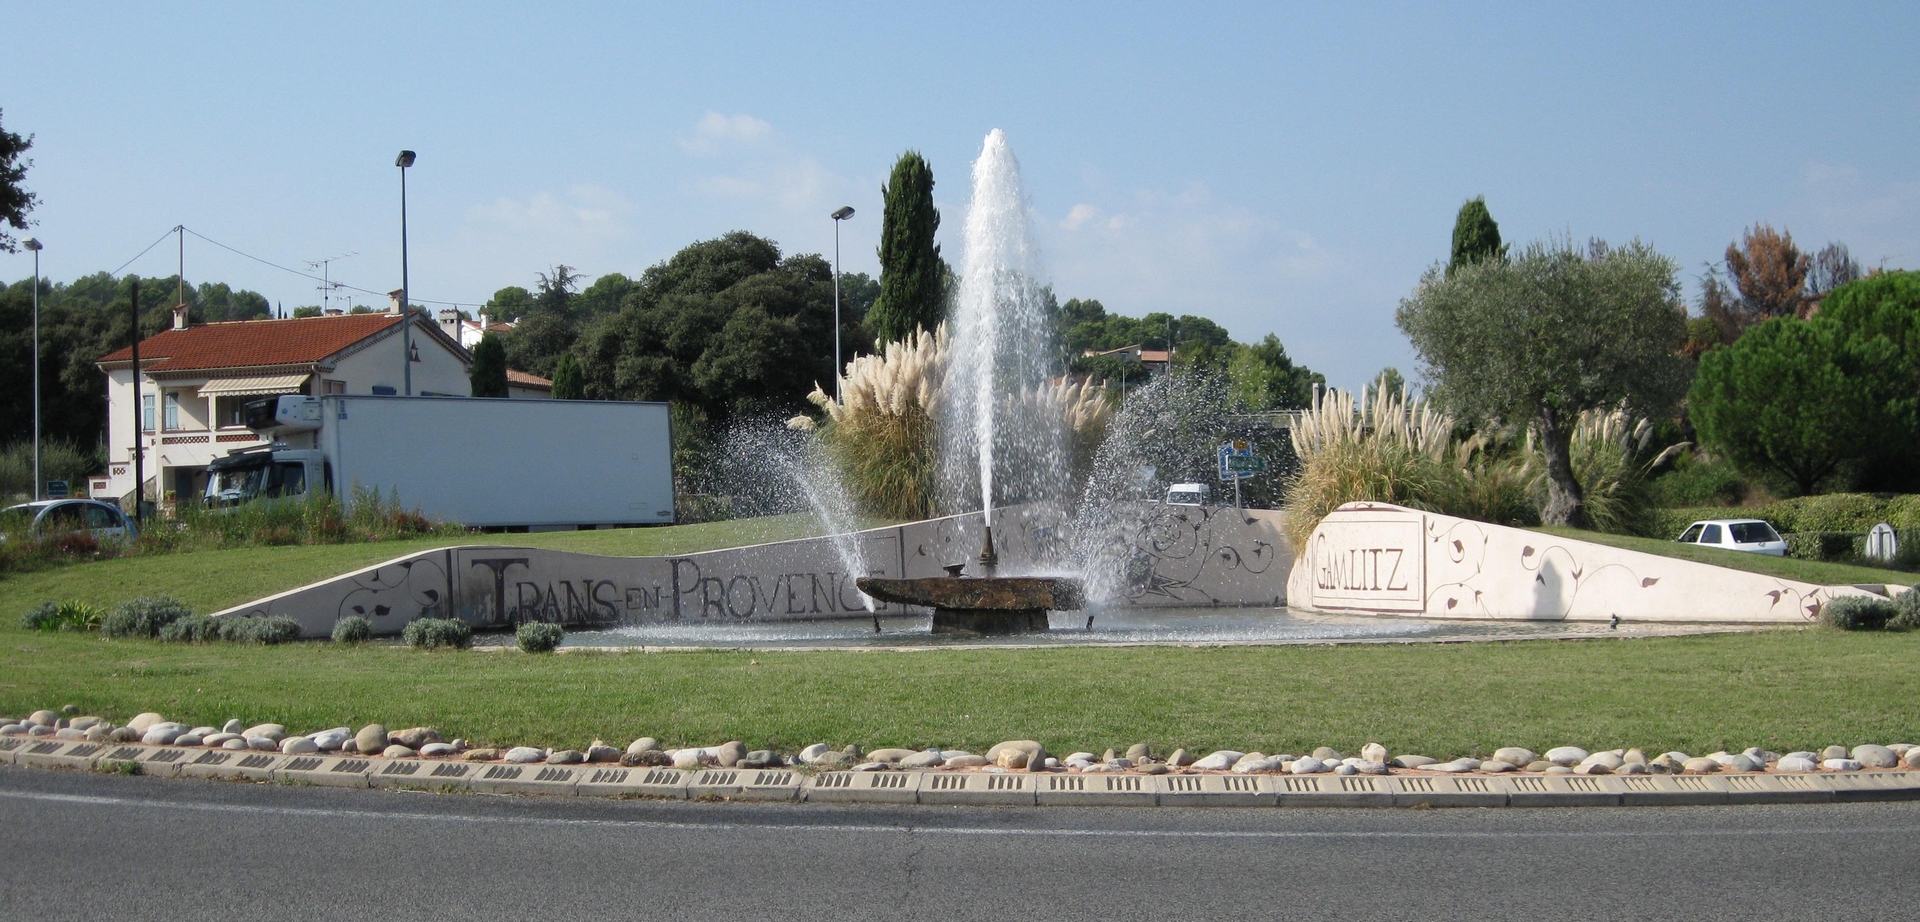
<point>237,345</point>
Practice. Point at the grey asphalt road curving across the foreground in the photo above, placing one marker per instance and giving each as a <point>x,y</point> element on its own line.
<point>110,848</point>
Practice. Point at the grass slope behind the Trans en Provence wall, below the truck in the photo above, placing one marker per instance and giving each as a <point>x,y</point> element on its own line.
<point>214,581</point>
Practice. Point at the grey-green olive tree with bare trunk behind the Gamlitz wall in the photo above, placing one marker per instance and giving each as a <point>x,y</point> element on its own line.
<point>1548,335</point>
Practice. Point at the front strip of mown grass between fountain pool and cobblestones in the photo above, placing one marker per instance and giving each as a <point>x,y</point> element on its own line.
<point>1783,691</point>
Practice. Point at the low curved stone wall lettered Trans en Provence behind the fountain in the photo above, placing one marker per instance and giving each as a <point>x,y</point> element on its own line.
<point>1184,556</point>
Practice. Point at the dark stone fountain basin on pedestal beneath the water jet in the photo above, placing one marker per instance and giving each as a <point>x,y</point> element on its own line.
<point>982,606</point>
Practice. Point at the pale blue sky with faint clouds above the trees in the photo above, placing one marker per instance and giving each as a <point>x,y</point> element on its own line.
<point>1278,168</point>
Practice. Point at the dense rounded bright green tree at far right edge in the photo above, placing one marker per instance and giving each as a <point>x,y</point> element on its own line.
<point>1800,400</point>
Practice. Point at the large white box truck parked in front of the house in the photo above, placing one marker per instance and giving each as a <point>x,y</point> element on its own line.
<point>479,462</point>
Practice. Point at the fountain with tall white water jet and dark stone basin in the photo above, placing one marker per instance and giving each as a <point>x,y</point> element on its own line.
<point>1003,351</point>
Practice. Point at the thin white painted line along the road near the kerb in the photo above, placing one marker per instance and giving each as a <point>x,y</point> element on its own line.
<point>861,829</point>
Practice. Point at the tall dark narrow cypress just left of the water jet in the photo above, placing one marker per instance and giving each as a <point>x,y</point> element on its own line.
<point>913,278</point>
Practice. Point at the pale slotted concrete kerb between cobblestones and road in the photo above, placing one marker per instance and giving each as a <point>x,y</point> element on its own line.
<point>976,789</point>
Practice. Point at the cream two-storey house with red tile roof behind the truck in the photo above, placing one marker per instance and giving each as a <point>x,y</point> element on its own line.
<point>195,383</point>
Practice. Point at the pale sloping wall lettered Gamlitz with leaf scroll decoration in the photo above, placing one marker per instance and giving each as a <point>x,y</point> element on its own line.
<point>1389,560</point>
